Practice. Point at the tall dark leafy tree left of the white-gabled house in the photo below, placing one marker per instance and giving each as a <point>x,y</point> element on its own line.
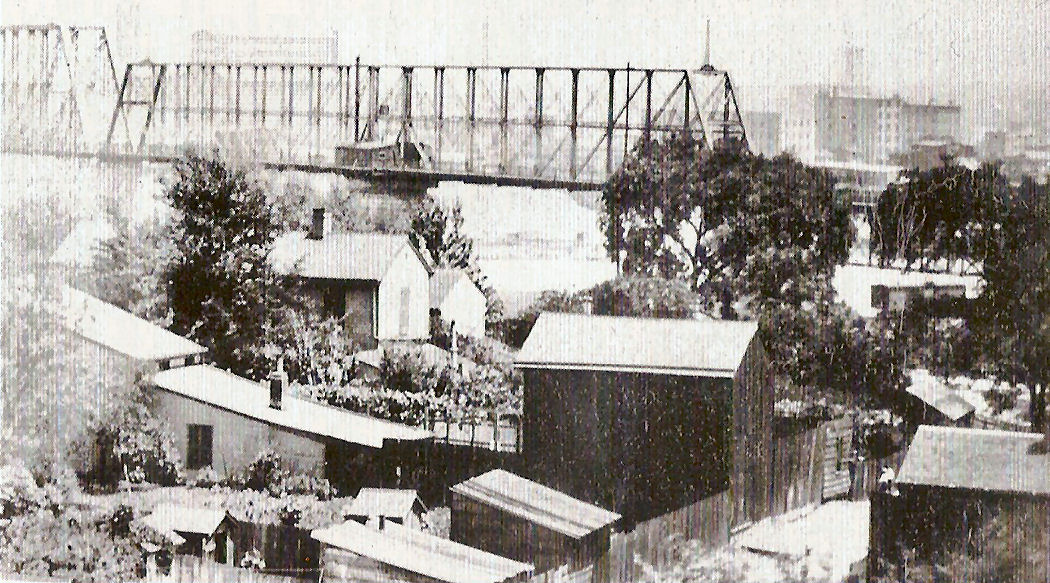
<point>221,288</point>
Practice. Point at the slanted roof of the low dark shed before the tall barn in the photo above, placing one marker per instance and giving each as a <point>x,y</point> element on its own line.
<point>537,504</point>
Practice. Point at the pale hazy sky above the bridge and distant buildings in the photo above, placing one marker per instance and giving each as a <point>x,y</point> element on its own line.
<point>992,57</point>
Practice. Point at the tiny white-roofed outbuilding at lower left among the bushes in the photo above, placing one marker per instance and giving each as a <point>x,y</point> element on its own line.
<point>205,533</point>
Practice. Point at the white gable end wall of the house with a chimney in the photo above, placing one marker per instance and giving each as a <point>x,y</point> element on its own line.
<point>406,273</point>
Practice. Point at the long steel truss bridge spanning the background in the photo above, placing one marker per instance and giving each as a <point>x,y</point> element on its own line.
<point>537,126</point>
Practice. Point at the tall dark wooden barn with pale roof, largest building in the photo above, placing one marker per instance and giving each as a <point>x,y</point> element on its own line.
<point>645,417</point>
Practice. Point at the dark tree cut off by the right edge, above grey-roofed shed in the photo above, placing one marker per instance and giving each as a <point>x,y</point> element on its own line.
<point>1012,321</point>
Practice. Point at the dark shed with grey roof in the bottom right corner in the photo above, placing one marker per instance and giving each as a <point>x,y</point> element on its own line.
<point>953,483</point>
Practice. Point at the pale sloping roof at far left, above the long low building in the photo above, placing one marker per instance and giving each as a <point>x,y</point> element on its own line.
<point>119,330</point>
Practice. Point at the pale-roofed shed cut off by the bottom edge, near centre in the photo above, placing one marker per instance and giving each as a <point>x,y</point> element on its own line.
<point>352,553</point>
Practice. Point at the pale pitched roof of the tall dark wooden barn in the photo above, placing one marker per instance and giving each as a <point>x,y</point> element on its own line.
<point>687,347</point>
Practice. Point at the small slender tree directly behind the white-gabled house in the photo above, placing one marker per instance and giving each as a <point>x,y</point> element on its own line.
<point>439,232</point>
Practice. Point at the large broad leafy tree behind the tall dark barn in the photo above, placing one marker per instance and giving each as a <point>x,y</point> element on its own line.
<point>734,226</point>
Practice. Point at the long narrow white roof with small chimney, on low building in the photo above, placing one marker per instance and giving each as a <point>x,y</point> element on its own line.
<point>228,391</point>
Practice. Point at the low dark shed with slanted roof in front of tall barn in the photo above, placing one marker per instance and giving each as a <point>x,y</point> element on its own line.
<point>510,516</point>
